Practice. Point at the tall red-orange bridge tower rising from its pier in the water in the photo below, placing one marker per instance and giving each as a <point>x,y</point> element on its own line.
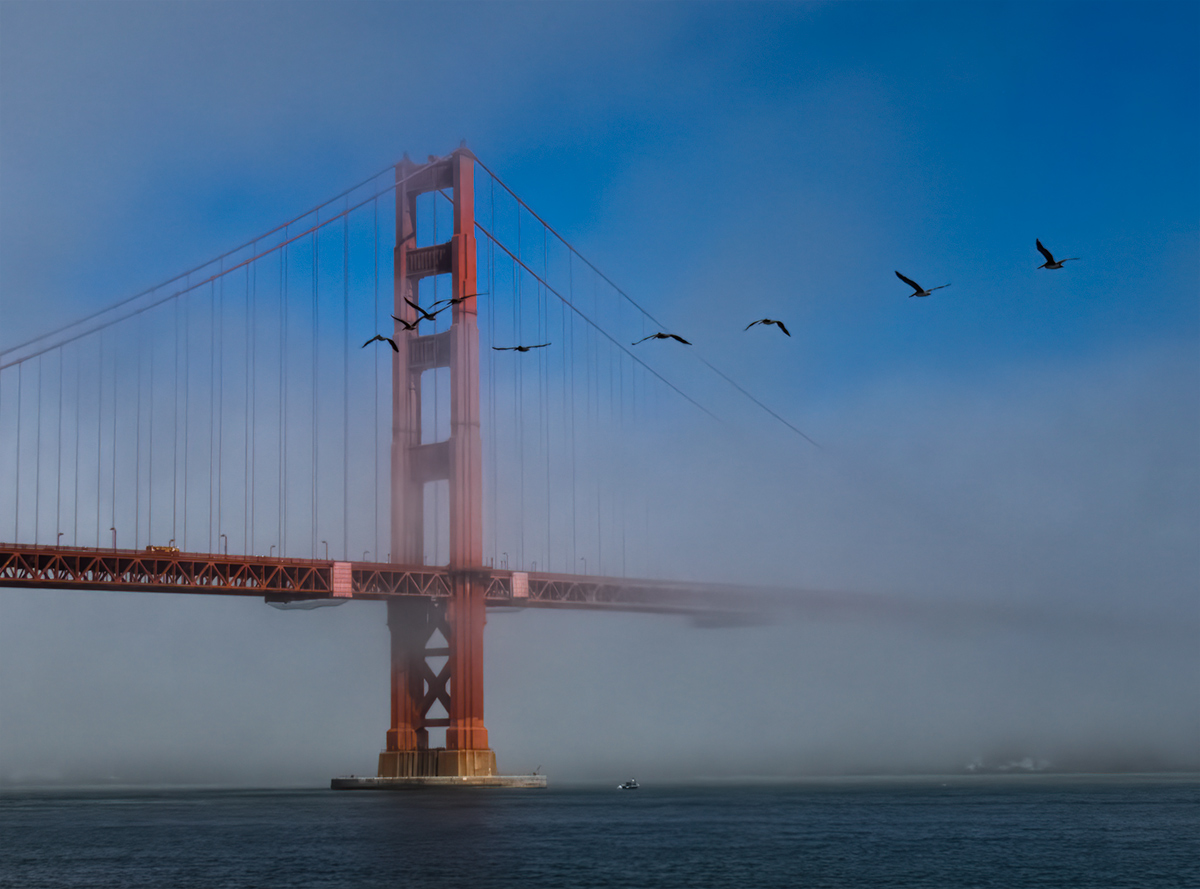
<point>415,622</point>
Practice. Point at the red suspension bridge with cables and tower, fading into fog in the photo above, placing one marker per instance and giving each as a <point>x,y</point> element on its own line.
<point>225,434</point>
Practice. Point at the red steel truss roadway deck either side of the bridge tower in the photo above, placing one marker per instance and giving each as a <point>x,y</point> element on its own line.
<point>283,580</point>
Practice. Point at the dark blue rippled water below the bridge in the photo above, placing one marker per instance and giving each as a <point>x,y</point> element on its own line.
<point>1127,833</point>
